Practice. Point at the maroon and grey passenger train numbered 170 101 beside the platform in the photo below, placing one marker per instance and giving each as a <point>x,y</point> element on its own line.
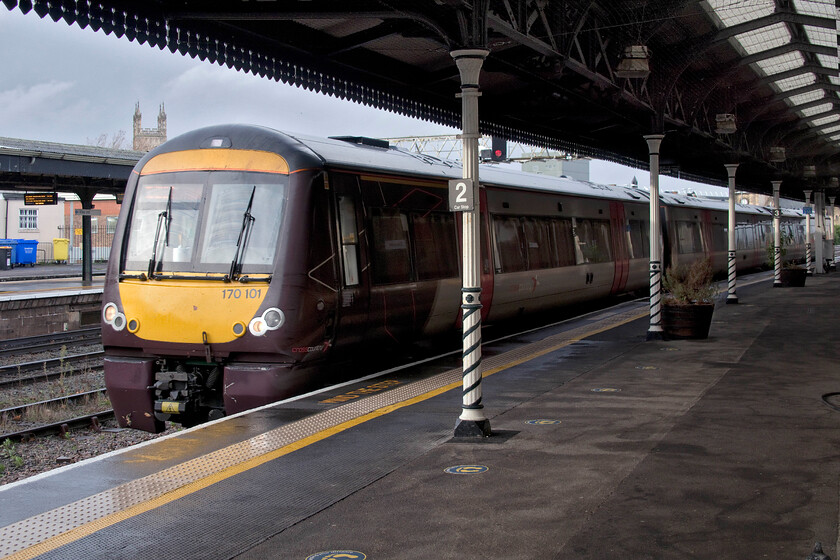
<point>244,258</point>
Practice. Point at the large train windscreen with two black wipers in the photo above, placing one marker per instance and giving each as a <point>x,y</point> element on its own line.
<point>205,221</point>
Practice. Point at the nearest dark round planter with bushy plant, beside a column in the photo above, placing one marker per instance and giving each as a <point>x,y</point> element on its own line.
<point>688,304</point>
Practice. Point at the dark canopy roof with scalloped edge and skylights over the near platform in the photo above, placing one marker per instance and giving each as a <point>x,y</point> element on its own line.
<point>747,81</point>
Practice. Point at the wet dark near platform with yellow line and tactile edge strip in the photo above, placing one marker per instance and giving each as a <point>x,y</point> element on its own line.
<point>604,446</point>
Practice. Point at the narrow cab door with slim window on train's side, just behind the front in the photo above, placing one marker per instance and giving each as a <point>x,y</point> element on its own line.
<point>354,295</point>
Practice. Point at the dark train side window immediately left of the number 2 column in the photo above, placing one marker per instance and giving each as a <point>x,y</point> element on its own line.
<point>435,246</point>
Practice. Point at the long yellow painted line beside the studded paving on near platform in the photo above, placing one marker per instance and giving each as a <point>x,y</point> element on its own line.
<point>94,526</point>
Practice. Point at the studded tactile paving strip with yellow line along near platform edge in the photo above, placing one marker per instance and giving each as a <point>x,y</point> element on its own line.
<point>47,531</point>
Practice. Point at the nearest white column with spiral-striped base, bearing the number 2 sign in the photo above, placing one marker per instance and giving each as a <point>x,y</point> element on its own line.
<point>472,422</point>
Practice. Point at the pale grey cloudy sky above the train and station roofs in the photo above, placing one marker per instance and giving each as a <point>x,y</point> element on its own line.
<point>60,83</point>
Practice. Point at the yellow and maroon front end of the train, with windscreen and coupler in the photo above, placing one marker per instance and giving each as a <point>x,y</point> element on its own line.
<point>207,300</point>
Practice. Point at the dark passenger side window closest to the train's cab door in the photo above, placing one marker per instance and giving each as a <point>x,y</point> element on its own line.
<point>389,243</point>
